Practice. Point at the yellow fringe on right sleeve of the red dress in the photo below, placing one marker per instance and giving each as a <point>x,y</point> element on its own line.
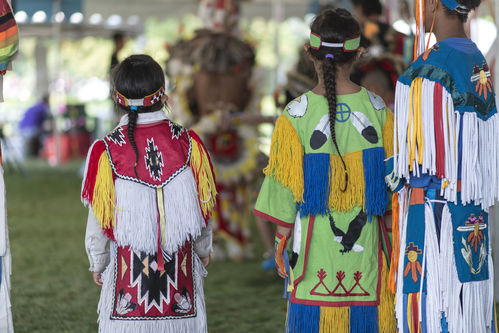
<point>207,189</point>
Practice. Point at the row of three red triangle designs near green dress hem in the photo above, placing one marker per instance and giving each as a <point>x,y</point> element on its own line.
<point>340,290</point>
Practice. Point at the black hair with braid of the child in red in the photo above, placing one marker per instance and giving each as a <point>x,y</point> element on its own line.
<point>137,77</point>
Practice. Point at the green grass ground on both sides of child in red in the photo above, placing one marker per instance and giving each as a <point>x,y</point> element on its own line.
<point>52,290</point>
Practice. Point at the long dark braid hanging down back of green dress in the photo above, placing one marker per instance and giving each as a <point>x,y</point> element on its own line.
<point>329,76</point>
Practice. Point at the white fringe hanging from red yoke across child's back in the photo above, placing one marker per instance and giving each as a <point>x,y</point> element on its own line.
<point>137,216</point>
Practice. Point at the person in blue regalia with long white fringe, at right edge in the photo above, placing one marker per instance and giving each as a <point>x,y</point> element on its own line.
<point>446,148</point>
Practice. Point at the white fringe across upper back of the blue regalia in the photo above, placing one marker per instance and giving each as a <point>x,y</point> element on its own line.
<point>480,158</point>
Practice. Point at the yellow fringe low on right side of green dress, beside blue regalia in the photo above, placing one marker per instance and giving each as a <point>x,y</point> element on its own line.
<point>386,314</point>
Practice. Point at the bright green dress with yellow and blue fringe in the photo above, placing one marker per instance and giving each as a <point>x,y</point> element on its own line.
<point>339,266</point>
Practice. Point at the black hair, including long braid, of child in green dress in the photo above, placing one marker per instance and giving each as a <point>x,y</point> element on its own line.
<point>334,26</point>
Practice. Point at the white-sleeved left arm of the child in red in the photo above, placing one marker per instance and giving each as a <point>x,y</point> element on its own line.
<point>96,246</point>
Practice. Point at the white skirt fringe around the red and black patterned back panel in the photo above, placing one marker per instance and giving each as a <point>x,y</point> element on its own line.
<point>187,325</point>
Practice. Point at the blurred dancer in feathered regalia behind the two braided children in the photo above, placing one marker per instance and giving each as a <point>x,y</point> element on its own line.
<point>216,94</point>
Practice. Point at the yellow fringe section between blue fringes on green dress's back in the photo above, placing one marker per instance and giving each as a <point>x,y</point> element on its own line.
<point>354,194</point>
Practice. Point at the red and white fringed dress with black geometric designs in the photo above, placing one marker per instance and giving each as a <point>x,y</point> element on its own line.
<point>156,220</point>
